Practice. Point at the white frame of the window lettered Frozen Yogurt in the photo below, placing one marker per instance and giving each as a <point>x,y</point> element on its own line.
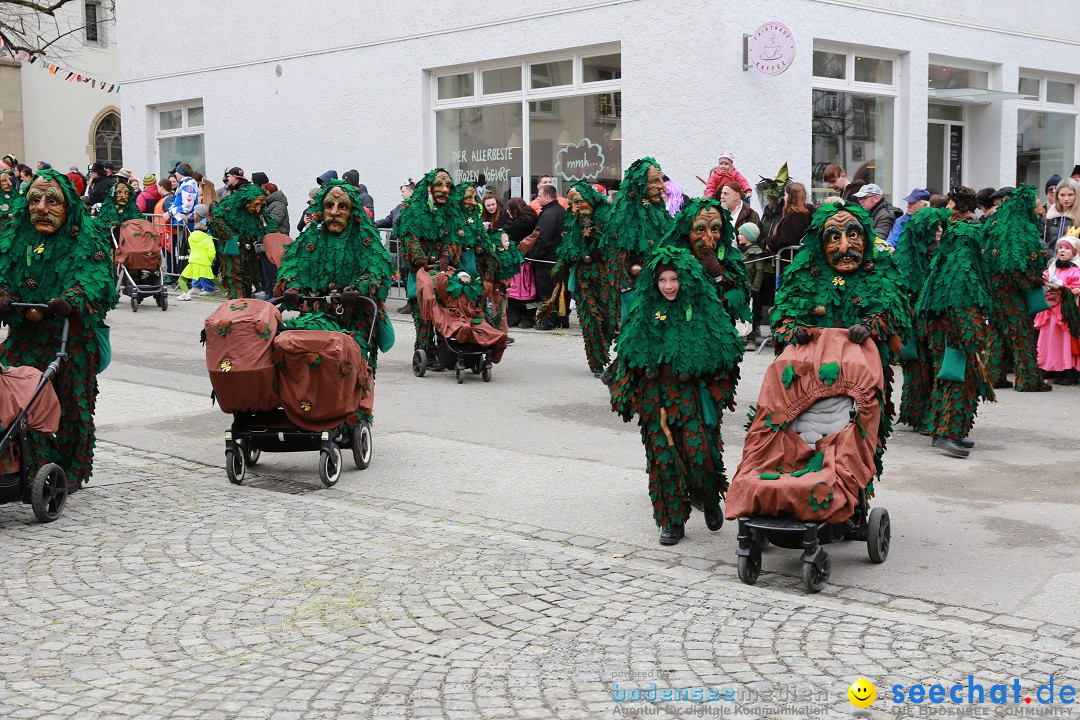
<point>526,96</point>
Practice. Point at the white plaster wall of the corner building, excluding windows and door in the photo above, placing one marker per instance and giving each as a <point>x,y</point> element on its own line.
<point>288,101</point>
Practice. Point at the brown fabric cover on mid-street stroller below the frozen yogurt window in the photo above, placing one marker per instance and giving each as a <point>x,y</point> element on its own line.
<point>457,318</point>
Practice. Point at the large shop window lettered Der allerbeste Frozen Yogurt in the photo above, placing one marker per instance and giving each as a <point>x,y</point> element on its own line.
<point>515,123</point>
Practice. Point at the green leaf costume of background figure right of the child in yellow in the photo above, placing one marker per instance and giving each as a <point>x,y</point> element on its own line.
<point>236,234</point>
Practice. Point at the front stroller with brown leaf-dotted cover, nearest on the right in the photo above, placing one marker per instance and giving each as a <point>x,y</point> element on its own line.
<point>809,460</point>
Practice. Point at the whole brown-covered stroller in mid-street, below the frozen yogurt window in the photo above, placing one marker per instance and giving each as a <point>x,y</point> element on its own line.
<point>461,337</point>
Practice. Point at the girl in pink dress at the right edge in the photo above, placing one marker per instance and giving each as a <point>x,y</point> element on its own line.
<point>1059,351</point>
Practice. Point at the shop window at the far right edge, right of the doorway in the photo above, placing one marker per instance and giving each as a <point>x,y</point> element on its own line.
<point>1046,129</point>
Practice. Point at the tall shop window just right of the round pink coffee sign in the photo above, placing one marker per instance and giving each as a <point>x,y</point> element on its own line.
<point>854,118</point>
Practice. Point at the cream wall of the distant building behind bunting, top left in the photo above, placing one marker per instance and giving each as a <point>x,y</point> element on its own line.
<point>60,116</point>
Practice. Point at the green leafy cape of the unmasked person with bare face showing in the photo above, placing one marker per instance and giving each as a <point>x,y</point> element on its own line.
<point>693,333</point>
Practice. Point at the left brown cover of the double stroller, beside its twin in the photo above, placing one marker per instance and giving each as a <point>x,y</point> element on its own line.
<point>239,337</point>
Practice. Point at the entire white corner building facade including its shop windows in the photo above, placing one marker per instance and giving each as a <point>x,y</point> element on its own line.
<point>980,93</point>
